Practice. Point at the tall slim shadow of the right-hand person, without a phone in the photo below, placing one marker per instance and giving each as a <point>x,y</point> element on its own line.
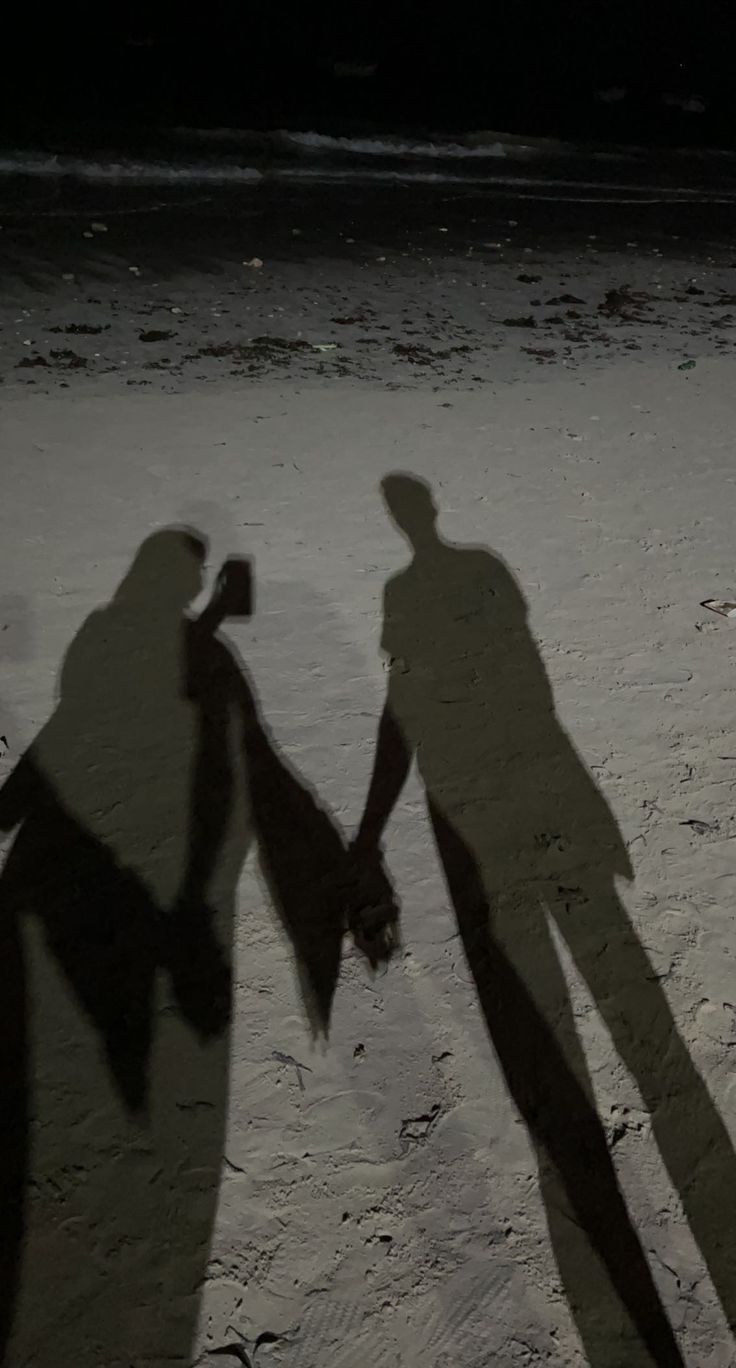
<point>525,837</point>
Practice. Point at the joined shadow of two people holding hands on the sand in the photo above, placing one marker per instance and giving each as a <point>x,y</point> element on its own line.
<point>135,811</point>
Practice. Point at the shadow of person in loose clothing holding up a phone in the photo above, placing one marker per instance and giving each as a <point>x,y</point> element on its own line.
<point>131,817</point>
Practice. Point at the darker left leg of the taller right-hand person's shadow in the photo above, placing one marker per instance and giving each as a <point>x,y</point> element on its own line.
<point>564,1128</point>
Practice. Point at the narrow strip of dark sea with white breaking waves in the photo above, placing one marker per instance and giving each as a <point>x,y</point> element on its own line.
<point>185,159</point>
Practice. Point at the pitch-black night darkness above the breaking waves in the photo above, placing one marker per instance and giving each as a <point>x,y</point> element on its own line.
<point>526,66</point>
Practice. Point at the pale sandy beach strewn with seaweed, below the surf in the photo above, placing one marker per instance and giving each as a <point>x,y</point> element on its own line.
<point>370,1195</point>
